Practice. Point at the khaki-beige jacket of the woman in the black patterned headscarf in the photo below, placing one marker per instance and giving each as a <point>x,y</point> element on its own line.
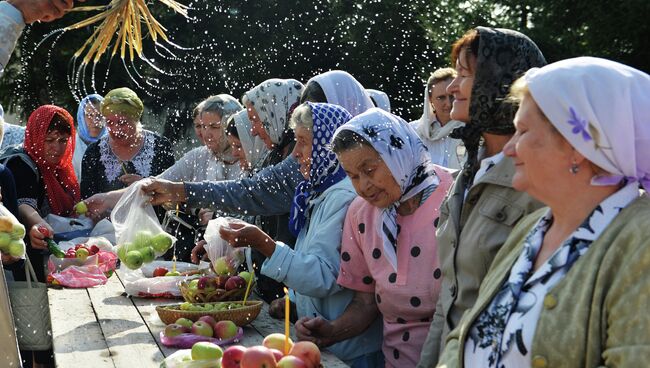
<point>470,233</point>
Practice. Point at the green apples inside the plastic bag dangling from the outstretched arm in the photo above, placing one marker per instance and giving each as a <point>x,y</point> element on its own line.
<point>144,248</point>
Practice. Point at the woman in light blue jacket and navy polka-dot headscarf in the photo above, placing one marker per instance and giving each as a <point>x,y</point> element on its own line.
<point>317,213</point>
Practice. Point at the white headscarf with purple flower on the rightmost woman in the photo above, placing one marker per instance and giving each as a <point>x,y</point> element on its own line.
<point>603,109</point>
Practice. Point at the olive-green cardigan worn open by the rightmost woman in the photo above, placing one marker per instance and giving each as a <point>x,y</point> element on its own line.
<point>597,315</point>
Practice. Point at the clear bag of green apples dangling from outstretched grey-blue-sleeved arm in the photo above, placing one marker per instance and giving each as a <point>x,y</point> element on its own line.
<point>140,238</point>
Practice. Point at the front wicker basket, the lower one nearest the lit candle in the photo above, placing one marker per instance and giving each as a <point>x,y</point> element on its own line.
<point>241,316</point>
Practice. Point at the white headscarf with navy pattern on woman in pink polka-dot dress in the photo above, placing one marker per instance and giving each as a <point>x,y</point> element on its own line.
<point>407,158</point>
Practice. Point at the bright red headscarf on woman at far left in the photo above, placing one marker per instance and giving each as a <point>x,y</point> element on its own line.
<point>60,180</point>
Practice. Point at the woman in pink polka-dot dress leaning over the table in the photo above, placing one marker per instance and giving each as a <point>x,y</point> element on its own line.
<point>389,244</point>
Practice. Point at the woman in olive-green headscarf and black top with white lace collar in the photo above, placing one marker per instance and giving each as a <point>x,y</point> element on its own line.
<point>128,152</point>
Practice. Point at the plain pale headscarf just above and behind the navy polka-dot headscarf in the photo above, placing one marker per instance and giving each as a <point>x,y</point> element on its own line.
<point>342,89</point>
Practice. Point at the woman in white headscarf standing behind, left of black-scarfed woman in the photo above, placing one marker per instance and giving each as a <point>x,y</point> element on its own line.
<point>435,125</point>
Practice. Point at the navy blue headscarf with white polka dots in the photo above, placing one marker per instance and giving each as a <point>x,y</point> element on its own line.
<point>325,169</point>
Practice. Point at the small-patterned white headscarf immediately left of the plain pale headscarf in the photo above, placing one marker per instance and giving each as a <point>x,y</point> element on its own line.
<point>273,101</point>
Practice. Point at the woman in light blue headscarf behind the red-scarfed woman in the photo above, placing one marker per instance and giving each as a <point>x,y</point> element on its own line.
<point>90,127</point>
